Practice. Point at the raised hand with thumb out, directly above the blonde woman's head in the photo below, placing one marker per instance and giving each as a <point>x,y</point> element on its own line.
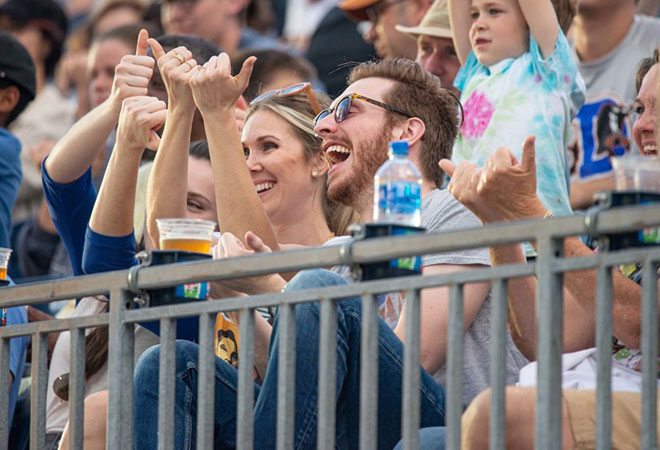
<point>213,86</point>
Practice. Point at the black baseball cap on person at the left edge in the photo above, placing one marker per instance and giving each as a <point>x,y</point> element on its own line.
<point>16,65</point>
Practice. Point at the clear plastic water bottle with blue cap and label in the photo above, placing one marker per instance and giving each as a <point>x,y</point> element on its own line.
<point>398,186</point>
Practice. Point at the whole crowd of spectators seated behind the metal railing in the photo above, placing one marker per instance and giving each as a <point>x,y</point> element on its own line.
<point>271,119</point>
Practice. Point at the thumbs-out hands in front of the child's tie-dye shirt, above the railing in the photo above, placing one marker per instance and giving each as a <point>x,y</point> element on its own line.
<point>504,189</point>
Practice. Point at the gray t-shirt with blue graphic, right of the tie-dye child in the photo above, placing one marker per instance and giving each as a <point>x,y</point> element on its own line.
<point>610,85</point>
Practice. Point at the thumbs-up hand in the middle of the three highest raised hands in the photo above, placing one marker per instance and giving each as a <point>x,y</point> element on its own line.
<point>176,68</point>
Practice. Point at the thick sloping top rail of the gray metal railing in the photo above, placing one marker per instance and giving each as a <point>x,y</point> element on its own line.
<point>370,250</point>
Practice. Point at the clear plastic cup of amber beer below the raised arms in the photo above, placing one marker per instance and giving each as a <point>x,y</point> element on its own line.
<point>191,235</point>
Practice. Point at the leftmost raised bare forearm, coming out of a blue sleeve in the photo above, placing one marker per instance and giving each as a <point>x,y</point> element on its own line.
<point>75,152</point>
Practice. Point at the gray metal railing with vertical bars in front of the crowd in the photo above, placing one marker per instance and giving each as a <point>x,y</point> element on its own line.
<point>548,267</point>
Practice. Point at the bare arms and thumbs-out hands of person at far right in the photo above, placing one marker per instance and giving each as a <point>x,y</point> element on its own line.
<point>505,190</point>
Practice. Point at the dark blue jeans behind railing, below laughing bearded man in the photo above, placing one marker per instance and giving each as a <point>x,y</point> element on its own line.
<point>390,371</point>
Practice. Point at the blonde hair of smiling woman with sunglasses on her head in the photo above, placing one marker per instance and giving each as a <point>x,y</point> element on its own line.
<point>297,111</point>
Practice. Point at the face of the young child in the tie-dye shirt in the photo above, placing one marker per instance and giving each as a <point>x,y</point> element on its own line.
<point>498,30</point>
